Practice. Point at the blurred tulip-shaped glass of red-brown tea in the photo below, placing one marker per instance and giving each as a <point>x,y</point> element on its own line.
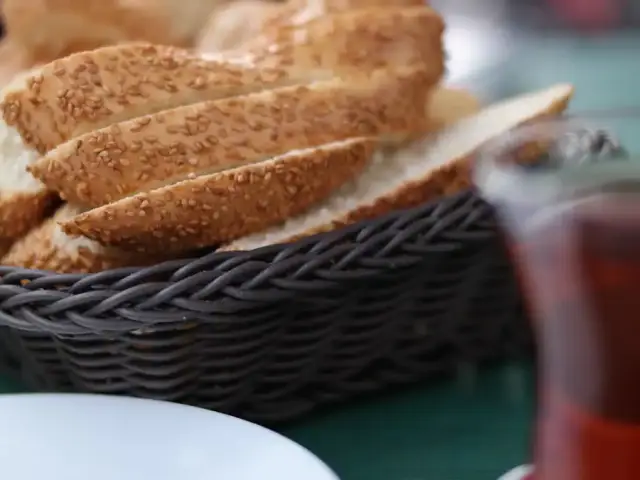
<point>568,199</point>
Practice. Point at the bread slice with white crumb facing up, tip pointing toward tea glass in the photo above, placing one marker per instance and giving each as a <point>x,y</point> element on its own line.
<point>425,171</point>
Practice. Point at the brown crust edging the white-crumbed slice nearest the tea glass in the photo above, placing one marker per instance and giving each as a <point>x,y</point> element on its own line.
<point>451,177</point>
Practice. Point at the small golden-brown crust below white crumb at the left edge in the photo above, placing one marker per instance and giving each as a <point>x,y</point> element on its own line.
<point>21,211</point>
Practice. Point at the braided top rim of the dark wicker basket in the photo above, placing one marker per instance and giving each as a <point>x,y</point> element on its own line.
<point>219,284</point>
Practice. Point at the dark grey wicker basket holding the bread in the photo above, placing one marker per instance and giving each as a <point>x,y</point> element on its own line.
<point>270,334</point>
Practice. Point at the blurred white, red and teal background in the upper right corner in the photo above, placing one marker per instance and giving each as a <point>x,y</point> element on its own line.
<point>501,47</point>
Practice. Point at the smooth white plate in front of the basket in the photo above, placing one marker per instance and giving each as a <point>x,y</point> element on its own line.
<point>81,437</point>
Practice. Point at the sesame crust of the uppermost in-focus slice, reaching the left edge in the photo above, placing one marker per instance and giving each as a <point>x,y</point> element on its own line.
<point>91,90</point>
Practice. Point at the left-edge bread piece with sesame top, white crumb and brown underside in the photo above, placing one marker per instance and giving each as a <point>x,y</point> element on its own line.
<point>86,91</point>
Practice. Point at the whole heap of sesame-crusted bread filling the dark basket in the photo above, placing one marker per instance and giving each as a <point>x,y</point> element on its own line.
<point>333,113</point>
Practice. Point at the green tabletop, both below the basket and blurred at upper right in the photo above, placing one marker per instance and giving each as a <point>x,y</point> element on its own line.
<point>471,428</point>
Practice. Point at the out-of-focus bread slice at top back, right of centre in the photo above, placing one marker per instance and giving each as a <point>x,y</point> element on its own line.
<point>355,41</point>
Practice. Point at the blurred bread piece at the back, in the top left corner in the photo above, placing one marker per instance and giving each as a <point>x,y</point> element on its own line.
<point>52,28</point>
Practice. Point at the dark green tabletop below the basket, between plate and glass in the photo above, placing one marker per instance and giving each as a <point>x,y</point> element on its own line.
<point>472,427</point>
